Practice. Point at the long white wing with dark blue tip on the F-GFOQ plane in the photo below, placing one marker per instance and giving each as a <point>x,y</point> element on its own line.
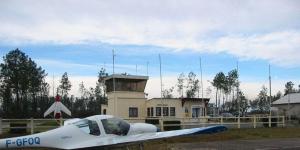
<point>119,140</point>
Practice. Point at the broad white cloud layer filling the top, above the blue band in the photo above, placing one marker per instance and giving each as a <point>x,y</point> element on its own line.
<point>267,30</point>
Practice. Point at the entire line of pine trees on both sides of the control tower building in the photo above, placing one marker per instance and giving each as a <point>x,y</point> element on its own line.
<point>24,92</point>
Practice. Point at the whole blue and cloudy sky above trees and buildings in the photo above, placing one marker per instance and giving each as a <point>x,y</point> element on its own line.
<point>78,37</point>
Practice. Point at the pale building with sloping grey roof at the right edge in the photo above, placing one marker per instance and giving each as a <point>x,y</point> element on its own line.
<point>288,105</point>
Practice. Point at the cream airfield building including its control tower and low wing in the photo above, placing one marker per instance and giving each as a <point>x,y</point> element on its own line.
<point>127,99</point>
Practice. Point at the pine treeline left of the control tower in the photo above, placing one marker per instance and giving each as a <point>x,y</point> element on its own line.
<point>24,92</point>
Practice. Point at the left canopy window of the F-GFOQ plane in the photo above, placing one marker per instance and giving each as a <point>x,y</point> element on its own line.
<point>88,126</point>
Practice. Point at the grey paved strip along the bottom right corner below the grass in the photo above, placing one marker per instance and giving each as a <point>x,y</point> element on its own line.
<point>265,144</point>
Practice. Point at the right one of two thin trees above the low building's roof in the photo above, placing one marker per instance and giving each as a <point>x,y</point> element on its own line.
<point>192,85</point>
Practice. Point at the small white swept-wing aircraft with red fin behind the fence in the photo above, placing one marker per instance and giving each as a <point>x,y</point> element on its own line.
<point>57,107</point>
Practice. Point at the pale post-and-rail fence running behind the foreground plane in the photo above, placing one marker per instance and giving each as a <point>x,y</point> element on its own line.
<point>39,125</point>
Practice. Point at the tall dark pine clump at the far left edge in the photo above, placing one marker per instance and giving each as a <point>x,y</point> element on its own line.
<point>21,82</point>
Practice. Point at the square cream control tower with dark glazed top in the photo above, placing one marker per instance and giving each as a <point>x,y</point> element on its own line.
<point>126,96</point>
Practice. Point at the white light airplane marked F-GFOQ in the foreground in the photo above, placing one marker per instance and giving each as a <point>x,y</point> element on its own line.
<point>99,131</point>
